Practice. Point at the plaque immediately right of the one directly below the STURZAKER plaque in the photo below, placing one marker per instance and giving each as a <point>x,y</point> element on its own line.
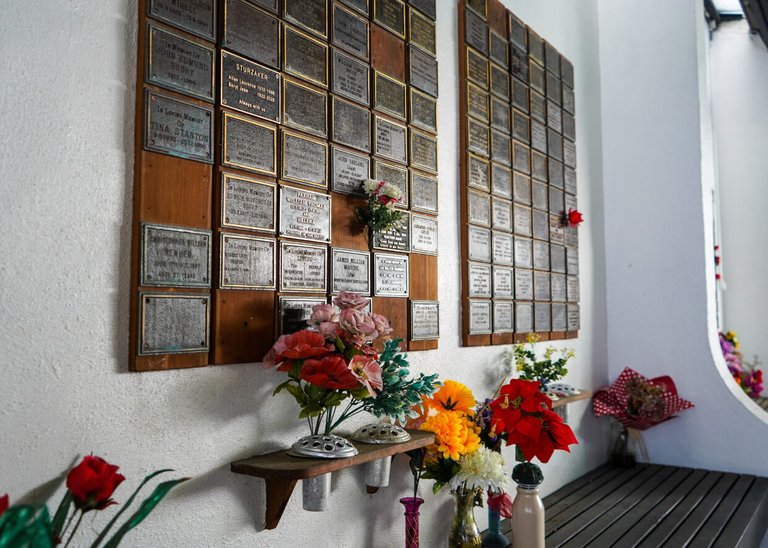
<point>305,160</point>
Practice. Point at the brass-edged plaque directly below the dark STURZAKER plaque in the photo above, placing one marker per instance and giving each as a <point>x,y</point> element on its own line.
<point>249,145</point>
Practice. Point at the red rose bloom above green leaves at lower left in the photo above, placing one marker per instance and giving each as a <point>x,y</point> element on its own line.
<point>92,483</point>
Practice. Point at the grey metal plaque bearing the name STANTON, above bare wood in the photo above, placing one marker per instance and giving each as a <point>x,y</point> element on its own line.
<point>178,128</point>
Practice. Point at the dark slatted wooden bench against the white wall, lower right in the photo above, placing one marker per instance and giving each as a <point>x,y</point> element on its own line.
<point>652,506</point>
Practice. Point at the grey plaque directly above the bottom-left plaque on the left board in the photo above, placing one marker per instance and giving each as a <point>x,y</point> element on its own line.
<point>175,257</point>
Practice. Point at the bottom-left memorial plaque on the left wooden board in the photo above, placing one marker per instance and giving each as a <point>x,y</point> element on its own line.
<point>173,324</point>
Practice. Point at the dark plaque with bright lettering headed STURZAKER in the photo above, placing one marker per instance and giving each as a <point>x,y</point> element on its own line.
<point>249,88</point>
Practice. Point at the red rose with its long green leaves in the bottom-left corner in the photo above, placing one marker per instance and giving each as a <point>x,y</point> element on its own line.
<point>90,486</point>
